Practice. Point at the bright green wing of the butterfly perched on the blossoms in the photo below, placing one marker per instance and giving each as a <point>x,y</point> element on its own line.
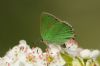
<point>54,30</point>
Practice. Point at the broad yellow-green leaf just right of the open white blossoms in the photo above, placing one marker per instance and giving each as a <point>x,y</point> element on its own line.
<point>68,59</point>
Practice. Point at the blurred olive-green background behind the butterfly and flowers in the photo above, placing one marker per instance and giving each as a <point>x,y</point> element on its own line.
<point>19,19</point>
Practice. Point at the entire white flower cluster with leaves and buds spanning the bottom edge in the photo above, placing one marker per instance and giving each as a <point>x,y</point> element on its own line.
<point>23,55</point>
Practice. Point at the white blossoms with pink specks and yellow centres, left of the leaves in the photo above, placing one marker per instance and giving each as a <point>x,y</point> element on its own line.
<point>23,55</point>
